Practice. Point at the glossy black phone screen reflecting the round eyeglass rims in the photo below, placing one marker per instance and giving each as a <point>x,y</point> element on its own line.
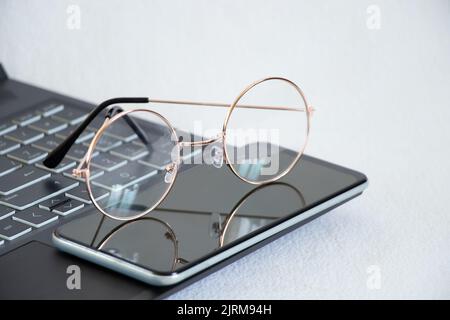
<point>209,210</point>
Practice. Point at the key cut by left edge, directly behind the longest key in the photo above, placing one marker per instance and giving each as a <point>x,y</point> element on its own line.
<point>21,178</point>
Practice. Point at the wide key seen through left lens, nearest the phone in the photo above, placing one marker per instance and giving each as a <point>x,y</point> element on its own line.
<point>125,177</point>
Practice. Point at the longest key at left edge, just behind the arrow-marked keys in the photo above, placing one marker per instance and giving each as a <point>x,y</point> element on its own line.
<point>38,192</point>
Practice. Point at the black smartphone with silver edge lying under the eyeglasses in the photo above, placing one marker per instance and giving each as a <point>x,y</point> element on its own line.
<point>209,219</point>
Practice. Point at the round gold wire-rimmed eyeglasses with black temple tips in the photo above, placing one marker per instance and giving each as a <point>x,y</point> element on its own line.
<point>264,134</point>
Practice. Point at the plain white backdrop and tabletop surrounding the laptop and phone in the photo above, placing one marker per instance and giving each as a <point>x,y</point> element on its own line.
<point>382,96</point>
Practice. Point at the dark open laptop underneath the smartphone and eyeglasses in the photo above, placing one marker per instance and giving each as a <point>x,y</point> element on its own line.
<point>33,121</point>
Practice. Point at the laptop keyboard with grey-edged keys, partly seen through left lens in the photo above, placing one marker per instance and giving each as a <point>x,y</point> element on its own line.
<point>33,196</point>
